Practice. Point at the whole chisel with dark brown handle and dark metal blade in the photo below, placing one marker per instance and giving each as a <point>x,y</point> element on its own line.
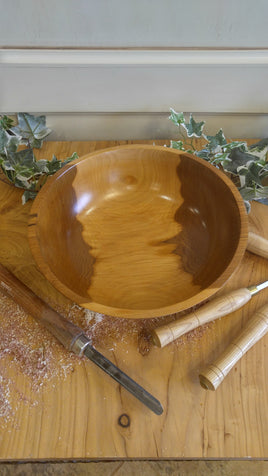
<point>71,336</point>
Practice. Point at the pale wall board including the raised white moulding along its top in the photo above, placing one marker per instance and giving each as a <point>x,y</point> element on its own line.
<point>134,81</point>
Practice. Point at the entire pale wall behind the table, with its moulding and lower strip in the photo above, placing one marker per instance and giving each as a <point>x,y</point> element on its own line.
<point>112,68</point>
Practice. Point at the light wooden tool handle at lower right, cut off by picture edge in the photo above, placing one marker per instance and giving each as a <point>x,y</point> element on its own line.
<point>256,328</point>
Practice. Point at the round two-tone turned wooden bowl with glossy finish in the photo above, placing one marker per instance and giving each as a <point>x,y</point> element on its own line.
<point>138,231</point>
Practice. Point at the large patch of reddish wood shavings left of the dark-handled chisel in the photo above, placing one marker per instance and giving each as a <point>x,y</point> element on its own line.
<point>29,349</point>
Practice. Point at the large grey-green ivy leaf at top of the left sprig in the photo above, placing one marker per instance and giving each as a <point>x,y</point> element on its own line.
<point>31,129</point>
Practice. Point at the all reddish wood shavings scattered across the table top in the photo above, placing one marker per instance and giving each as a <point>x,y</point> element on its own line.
<point>29,349</point>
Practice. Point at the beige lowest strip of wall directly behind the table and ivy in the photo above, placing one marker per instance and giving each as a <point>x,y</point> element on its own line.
<point>146,126</point>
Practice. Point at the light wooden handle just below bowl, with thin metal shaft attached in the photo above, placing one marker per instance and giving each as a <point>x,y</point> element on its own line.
<point>219,307</point>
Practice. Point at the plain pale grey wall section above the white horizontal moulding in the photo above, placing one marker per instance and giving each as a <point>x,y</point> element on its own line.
<point>134,23</point>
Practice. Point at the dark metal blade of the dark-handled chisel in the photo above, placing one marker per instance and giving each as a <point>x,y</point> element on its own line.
<point>133,387</point>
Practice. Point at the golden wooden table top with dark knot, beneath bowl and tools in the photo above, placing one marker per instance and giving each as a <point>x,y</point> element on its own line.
<point>55,406</point>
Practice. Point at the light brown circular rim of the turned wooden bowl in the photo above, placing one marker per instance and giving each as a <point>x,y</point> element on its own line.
<point>197,299</point>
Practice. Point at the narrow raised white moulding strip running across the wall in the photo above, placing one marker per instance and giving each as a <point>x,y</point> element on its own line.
<point>89,57</point>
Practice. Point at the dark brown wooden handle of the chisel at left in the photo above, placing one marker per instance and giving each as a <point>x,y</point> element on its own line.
<point>66,332</point>
